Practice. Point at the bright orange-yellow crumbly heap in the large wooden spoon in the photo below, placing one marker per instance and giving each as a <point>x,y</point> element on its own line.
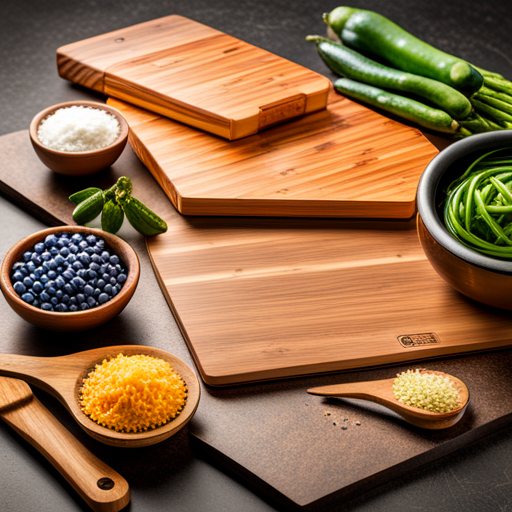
<point>133,393</point>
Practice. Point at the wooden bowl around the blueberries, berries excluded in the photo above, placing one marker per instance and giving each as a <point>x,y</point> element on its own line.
<point>77,320</point>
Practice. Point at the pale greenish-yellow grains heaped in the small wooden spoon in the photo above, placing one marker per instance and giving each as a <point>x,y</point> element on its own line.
<point>429,391</point>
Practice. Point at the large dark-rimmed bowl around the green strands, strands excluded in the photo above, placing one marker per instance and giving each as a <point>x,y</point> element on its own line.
<point>482,278</point>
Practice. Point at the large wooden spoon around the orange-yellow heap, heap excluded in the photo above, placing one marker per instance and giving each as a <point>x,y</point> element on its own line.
<point>62,377</point>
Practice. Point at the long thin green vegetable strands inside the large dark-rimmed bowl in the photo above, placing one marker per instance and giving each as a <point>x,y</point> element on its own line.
<point>478,208</point>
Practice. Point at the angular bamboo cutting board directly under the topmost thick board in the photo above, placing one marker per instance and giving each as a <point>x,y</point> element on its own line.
<point>344,161</point>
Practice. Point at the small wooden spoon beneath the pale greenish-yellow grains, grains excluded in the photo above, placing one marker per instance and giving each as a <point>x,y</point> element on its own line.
<point>381,392</point>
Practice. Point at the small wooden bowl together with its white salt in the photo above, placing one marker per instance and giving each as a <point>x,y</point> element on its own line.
<point>78,138</point>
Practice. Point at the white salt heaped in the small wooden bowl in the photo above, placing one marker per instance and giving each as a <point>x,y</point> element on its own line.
<point>78,128</point>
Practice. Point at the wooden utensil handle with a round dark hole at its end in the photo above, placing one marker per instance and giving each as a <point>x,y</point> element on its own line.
<point>101,487</point>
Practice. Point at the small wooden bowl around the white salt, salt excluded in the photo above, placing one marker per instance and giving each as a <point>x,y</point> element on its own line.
<point>79,163</point>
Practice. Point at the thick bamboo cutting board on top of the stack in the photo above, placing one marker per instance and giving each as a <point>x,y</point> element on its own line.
<point>195,74</point>
